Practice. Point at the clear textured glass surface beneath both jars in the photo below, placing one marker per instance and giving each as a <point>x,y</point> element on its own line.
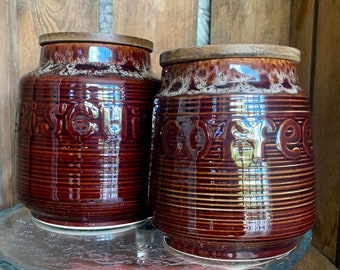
<point>28,244</point>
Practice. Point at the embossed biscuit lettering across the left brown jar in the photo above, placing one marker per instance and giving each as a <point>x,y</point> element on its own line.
<point>112,120</point>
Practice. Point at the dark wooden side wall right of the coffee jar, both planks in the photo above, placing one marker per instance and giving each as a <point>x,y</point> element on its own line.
<point>315,31</point>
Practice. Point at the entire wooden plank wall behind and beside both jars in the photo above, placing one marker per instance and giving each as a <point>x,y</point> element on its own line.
<point>310,25</point>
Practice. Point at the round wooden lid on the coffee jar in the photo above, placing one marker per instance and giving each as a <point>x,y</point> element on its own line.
<point>229,51</point>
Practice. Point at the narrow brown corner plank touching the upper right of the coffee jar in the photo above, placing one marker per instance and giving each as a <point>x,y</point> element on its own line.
<point>301,37</point>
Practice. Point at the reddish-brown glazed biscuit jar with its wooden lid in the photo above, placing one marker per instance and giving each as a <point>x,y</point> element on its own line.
<point>83,130</point>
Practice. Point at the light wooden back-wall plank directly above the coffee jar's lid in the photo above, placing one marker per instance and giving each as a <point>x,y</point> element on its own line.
<point>255,21</point>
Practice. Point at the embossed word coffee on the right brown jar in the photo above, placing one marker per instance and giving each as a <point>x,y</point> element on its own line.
<point>238,138</point>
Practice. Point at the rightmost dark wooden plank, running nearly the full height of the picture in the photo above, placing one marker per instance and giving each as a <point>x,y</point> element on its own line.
<point>326,123</point>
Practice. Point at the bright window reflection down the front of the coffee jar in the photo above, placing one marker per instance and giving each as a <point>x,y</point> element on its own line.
<point>247,150</point>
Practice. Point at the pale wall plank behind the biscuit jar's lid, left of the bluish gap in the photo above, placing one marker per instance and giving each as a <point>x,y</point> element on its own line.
<point>36,17</point>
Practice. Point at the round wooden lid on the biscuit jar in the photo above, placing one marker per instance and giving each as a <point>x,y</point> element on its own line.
<point>95,37</point>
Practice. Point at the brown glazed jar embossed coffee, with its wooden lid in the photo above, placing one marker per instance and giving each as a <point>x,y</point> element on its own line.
<point>232,174</point>
